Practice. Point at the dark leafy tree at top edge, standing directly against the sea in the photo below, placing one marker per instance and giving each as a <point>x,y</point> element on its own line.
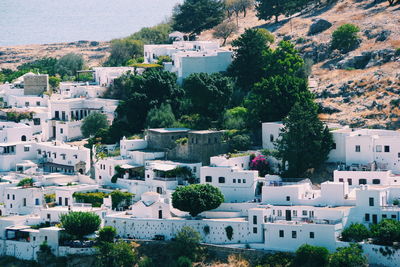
<point>195,16</point>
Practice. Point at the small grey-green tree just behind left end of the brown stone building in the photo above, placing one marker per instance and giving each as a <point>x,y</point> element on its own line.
<point>161,117</point>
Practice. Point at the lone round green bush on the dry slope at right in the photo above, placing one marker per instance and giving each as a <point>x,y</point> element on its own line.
<point>345,38</point>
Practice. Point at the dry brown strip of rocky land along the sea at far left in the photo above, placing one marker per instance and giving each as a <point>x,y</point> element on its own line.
<point>94,52</point>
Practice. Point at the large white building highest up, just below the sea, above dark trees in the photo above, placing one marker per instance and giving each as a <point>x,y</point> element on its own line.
<point>190,57</point>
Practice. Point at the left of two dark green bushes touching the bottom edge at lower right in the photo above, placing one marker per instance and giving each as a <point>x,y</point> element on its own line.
<point>311,256</point>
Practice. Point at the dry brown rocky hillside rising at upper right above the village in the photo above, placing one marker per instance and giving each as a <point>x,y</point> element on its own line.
<point>360,88</point>
